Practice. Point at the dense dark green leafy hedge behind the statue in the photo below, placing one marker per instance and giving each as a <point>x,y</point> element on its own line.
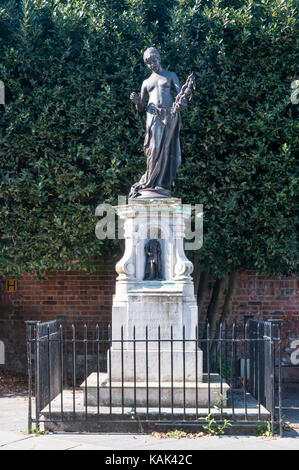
<point>71,139</point>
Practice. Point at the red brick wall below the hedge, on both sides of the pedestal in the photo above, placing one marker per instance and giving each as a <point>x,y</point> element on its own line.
<point>83,297</point>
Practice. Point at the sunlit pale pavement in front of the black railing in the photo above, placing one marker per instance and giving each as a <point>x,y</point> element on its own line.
<point>13,424</point>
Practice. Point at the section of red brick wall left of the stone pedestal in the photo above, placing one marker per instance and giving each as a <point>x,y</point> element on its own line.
<point>78,297</point>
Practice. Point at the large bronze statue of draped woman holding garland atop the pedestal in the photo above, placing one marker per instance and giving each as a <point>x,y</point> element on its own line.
<point>161,144</point>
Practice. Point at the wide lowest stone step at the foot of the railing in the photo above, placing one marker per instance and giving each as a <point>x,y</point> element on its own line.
<point>118,419</point>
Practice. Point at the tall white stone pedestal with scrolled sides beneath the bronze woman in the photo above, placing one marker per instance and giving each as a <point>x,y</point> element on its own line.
<point>151,310</point>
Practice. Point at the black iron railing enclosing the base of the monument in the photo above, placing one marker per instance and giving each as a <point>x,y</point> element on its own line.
<point>246,365</point>
